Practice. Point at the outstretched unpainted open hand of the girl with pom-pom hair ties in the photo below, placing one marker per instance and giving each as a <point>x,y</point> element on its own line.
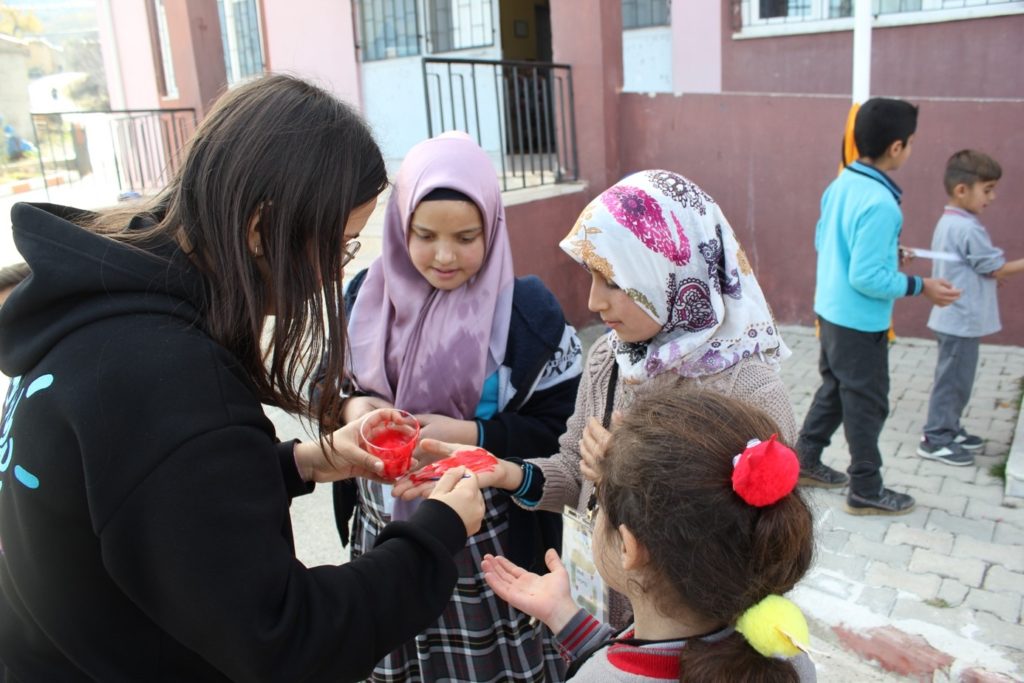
<point>548,597</point>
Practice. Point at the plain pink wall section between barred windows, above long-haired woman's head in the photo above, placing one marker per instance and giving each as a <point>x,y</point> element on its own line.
<point>314,39</point>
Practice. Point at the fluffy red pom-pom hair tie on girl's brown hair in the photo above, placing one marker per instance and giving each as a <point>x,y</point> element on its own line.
<point>765,473</point>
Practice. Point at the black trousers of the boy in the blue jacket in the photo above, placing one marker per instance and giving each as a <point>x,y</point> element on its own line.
<point>855,393</point>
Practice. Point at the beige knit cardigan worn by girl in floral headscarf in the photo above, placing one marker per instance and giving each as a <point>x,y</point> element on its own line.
<point>752,381</point>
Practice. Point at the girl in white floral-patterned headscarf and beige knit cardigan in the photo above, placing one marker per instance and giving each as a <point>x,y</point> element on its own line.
<point>684,306</point>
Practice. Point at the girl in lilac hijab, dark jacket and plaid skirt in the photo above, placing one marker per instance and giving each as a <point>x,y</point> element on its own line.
<point>441,327</point>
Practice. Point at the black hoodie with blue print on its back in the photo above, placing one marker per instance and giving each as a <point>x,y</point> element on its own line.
<point>145,499</point>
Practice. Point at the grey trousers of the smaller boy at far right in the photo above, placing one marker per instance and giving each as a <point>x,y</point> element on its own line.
<point>952,390</point>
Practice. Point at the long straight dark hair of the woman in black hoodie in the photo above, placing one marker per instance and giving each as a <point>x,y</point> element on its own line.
<point>289,154</point>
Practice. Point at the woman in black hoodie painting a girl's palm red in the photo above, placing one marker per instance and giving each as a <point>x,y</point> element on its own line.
<point>144,496</point>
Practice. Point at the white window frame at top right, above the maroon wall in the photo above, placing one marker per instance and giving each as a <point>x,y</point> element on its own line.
<point>932,12</point>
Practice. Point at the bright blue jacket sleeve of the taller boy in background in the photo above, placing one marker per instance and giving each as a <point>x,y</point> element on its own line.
<point>873,255</point>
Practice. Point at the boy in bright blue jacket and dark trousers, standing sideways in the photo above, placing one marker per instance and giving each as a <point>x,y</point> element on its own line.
<point>859,280</point>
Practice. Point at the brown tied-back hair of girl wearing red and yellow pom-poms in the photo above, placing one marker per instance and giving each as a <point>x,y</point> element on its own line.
<point>667,477</point>
